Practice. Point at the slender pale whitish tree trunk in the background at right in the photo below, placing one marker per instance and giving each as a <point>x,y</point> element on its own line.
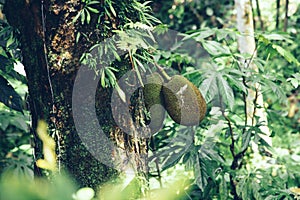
<point>246,43</point>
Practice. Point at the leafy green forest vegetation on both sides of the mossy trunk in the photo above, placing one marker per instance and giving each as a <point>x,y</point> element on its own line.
<point>205,169</point>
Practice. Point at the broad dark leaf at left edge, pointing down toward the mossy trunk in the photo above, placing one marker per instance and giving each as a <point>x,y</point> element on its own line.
<point>9,96</point>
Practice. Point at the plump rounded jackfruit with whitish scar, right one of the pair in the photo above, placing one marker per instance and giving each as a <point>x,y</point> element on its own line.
<point>183,101</point>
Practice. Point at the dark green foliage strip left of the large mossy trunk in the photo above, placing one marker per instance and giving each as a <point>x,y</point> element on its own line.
<point>16,151</point>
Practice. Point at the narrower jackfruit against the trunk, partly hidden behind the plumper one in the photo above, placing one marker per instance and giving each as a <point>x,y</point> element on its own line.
<point>154,101</point>
